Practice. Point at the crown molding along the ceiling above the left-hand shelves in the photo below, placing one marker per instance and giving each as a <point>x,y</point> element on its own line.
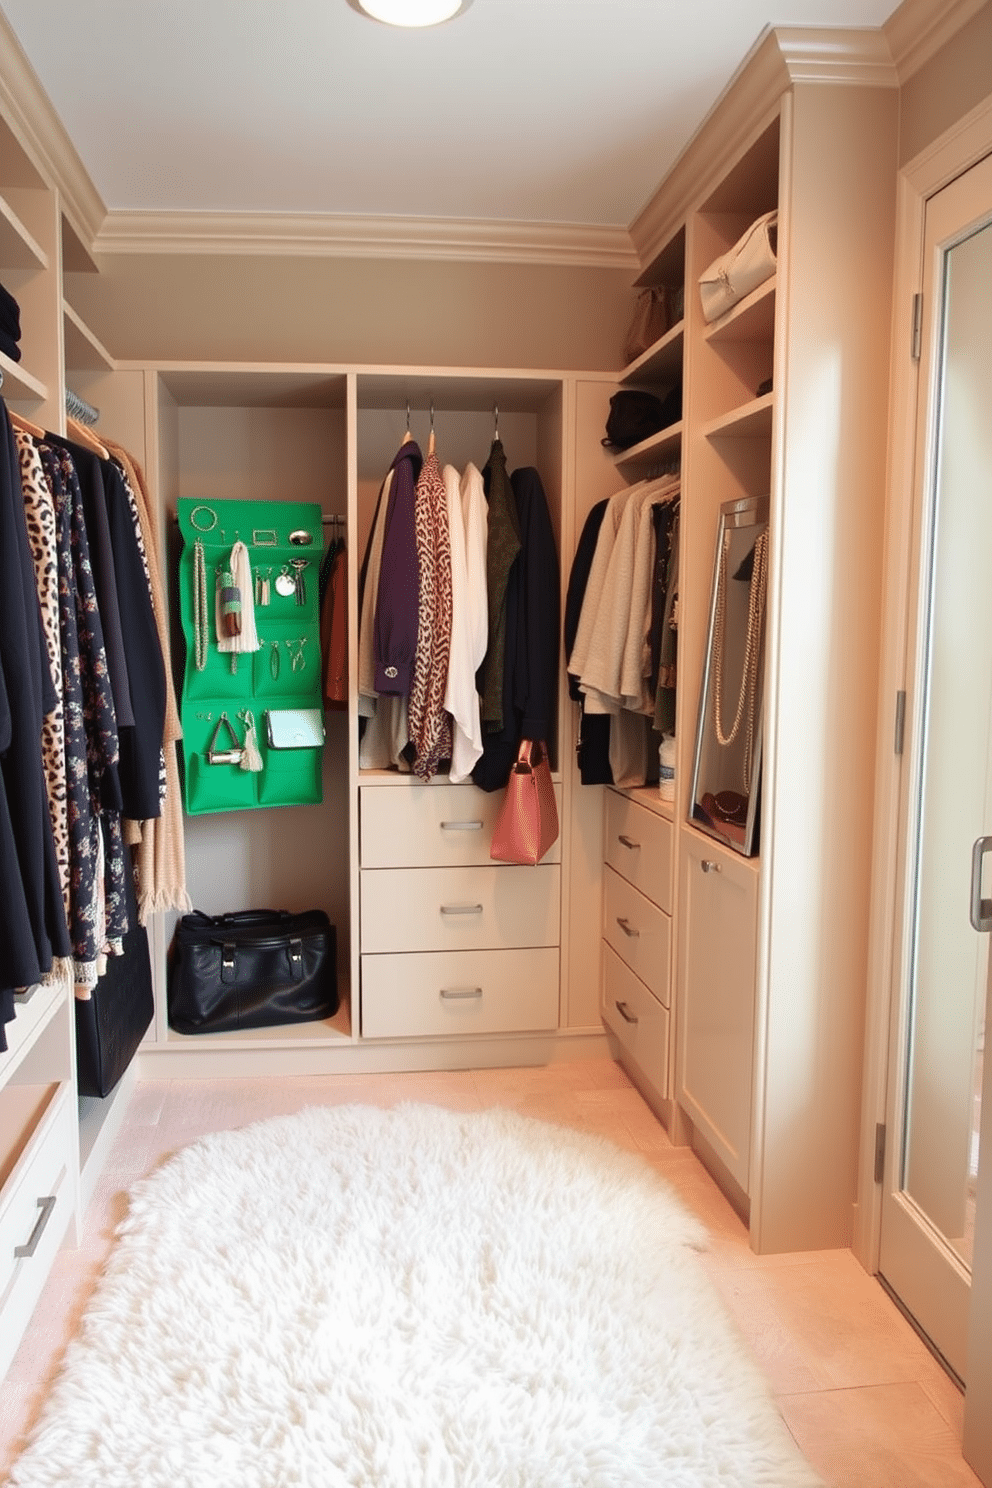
<point>44,138</point>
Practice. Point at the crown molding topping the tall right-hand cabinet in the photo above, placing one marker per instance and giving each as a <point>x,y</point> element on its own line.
<point>780,59</point>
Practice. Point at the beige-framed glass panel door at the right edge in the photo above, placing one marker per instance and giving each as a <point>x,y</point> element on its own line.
<point>939,1026</point>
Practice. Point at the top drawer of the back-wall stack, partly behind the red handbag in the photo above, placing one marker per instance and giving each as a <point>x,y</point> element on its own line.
<point>432,827</point>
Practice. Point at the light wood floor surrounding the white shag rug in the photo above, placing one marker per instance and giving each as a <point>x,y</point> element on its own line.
<point>866,1402</point>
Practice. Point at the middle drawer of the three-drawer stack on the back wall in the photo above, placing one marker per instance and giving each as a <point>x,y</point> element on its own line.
<point>459,908</point>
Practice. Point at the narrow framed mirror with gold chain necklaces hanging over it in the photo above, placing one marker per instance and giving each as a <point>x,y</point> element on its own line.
<point>728,766</point>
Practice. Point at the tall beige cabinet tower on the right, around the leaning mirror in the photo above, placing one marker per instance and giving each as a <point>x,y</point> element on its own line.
<point>770,953</point>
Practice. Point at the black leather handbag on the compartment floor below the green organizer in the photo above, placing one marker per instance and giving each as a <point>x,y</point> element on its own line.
<point>254,969</point>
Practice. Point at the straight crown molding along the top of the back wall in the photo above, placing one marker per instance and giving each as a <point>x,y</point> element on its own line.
<point>329,236</point>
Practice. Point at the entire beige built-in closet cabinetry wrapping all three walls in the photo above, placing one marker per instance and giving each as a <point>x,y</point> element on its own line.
<point>738,998</point>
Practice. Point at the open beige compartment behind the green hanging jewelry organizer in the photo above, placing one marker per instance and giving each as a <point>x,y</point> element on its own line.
<point>260,432</point>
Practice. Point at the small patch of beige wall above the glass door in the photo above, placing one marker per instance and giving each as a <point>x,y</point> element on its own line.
<point>948,87</point>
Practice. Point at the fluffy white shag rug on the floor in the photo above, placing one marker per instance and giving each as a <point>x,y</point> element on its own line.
<point>408,1298</point>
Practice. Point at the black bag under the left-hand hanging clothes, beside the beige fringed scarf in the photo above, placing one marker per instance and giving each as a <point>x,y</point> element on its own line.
<point>114,1020</point>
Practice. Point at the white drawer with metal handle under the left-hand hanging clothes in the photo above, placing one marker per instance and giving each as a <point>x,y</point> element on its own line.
<point>36,1206</point>
